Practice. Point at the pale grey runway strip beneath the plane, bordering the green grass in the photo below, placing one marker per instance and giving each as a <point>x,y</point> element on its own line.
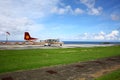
<point>12,47</point>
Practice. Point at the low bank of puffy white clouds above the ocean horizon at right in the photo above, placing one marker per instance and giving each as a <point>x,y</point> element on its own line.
<point>113,35</point>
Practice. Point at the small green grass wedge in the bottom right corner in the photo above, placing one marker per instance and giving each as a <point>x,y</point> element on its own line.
<point>115,75</point>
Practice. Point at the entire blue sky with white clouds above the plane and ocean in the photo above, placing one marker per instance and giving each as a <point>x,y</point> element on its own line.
<point>67,20</point>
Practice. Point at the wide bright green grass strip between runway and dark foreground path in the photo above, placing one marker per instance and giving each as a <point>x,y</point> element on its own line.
<point>13,60</point>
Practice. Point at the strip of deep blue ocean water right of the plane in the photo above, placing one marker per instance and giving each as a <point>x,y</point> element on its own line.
<point>89,42</point>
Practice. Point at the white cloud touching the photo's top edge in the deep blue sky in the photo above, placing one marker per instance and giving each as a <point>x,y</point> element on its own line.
<point>91,9</point>
